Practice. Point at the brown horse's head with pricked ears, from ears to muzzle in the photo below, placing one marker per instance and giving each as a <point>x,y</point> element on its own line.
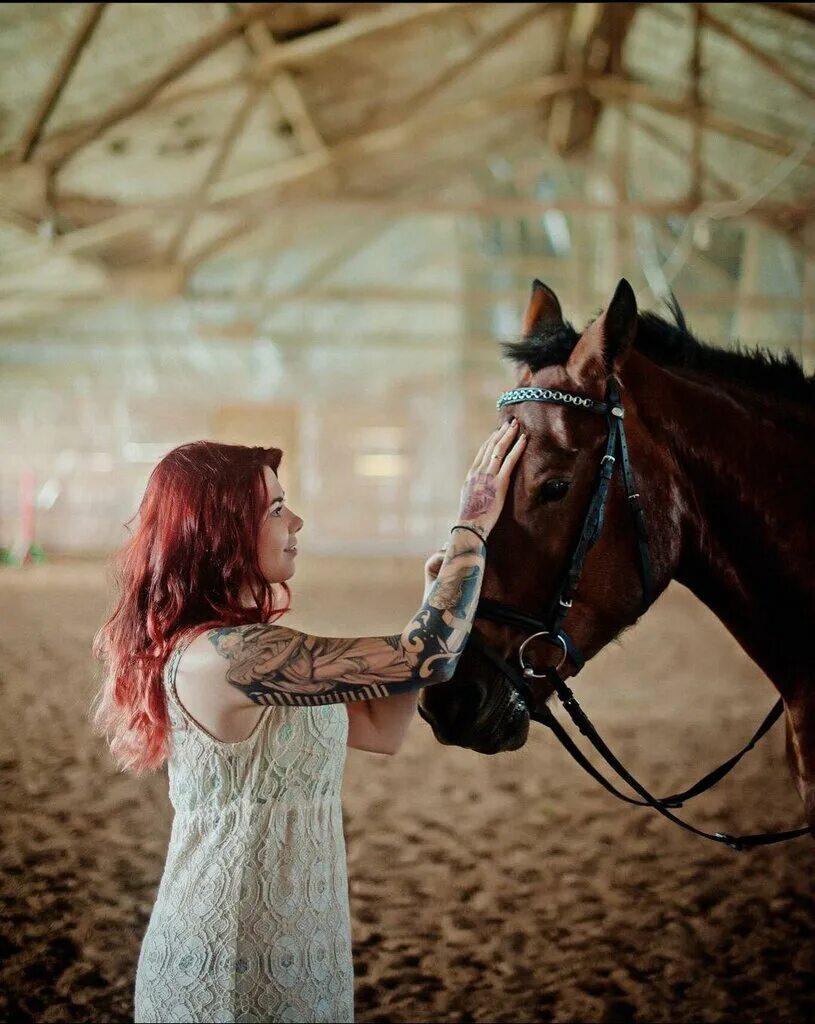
<point>545,522</point>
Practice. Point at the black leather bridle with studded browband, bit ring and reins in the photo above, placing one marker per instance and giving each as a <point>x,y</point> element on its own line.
<point>550,628</point>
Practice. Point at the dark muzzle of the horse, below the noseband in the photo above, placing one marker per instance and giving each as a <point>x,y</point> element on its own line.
<point>490,718</point>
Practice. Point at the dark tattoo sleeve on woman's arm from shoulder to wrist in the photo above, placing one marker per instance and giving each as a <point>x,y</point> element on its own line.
<point>273,665</point>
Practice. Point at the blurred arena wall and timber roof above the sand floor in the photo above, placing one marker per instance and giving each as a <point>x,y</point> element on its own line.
<point>311,226</point>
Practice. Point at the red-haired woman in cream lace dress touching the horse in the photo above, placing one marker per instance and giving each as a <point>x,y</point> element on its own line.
<point>251,921</point>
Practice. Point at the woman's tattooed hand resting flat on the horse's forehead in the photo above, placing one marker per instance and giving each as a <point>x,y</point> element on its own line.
<point>487,485</point>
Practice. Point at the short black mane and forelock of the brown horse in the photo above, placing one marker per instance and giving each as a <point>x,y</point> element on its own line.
<point>781,376</point>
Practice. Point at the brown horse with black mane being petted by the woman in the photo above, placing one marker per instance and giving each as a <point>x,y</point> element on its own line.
<point>721,444</point>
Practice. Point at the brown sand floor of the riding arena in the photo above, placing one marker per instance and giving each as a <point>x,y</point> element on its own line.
<point>483,889</point>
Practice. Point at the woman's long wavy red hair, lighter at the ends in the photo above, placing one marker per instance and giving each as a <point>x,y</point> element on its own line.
<point>192,557</point>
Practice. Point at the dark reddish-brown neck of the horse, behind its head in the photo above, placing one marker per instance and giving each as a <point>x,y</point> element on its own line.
<point>746,478</point>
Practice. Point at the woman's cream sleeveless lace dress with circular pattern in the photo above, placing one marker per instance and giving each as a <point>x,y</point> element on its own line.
<point>251,922</point>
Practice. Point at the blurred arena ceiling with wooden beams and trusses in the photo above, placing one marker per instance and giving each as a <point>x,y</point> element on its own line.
<point>145,145</point>
